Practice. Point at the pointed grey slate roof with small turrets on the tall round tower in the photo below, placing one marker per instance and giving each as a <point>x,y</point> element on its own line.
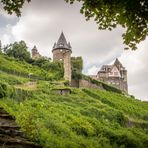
<point>62,43</point>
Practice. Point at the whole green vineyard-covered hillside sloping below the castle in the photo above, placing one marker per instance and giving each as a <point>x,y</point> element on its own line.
<point>84,118</point>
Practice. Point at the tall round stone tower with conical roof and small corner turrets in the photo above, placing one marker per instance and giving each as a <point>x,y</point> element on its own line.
<point>62,52</point>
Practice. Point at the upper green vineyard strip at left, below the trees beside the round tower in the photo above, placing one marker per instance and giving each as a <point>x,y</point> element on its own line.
<point>23,69</point>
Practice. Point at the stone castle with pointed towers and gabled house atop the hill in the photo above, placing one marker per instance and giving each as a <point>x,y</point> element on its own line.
<point>115,74</point>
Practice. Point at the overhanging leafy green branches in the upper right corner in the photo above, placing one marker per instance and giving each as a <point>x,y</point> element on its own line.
<point>108,14</point>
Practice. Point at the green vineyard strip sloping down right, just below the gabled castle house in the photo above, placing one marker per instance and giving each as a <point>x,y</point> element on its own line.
<point>132,107</point>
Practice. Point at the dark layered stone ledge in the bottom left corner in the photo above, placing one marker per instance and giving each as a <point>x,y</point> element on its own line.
<point>10,136</point>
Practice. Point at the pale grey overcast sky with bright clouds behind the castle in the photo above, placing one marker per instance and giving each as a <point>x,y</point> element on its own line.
<point>41,24</point>
